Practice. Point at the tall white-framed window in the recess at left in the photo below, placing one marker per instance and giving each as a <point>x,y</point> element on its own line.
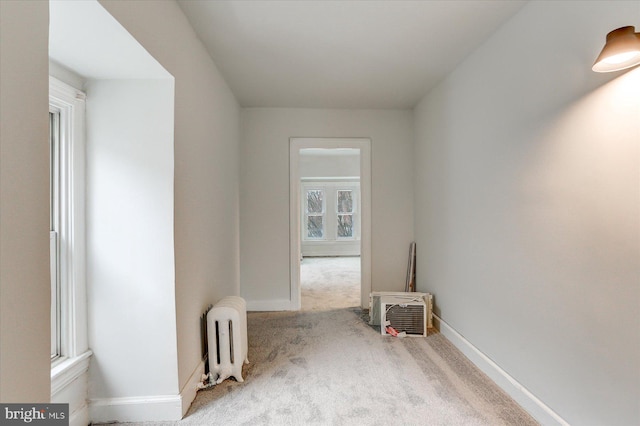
<point>66,231</point>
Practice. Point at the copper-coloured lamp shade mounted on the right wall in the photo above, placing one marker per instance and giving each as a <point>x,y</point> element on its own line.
<point>621,51</point>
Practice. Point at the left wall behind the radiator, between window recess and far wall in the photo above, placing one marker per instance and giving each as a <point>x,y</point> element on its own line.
<point>206,199</point>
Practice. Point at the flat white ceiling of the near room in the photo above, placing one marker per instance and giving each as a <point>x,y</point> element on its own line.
<point>341,54</point>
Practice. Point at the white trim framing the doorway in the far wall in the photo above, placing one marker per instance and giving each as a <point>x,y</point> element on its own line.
<point>295,145</point>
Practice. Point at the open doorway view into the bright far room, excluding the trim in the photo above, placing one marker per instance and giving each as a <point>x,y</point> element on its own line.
<point>330,229</point>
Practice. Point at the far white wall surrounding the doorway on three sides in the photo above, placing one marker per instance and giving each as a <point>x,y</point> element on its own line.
<point>264,195</point>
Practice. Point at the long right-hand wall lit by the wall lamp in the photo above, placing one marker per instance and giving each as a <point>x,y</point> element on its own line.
<point>527,205</point>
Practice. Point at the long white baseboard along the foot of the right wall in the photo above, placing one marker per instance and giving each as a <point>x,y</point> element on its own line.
<point>538,409</point>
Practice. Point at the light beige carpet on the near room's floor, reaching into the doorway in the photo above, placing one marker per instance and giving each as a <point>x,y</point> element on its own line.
<point>326,366</point>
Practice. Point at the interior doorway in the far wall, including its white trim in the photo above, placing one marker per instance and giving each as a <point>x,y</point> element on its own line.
<point>330,218</point>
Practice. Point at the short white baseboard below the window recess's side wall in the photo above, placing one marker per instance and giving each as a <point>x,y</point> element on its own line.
<point>154,408</point>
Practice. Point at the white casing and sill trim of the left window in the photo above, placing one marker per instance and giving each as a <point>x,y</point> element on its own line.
<point>69,372</point>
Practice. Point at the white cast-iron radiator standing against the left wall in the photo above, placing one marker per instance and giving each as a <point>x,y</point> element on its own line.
<point>227,339</point>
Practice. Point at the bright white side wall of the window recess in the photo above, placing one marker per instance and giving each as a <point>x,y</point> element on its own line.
<point>130,252</point>
